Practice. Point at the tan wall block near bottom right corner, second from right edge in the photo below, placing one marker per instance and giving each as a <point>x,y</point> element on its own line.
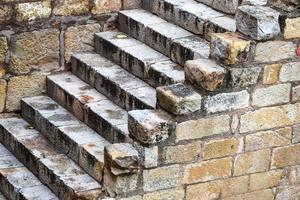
<point>266,180</point>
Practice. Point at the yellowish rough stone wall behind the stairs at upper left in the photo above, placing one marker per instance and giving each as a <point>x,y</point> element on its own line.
<point>37,38</point>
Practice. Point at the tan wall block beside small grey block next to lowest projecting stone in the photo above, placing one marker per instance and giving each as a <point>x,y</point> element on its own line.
<point>182,153</point>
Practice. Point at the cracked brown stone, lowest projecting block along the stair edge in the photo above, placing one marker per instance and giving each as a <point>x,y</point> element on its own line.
<point>121,158</point>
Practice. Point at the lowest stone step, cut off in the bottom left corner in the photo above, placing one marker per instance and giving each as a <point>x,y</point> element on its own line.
<point>17,182</point>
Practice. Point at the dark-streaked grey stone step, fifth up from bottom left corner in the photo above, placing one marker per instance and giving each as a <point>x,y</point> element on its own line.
<point>117,84</point>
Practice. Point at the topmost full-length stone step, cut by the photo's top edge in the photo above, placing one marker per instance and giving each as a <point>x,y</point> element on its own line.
<point>195,17</point>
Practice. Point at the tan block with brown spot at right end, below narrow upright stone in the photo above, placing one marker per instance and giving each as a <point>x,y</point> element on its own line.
<point>222,148</point>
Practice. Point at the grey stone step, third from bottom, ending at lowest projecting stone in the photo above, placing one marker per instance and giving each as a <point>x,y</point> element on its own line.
<point>72,137</point>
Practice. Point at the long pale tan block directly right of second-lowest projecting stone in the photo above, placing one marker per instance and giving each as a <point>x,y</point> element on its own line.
<point>197,129</point>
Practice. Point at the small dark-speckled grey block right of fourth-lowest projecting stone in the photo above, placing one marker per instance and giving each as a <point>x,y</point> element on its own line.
<point>243,77</point>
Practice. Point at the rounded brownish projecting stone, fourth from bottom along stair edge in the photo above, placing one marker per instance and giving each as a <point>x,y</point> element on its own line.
<point>203,73</point>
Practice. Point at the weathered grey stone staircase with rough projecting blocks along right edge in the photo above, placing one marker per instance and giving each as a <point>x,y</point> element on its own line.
<point>133,89</point>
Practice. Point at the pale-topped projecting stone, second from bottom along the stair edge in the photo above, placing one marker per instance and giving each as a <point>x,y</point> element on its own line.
<point>148,126</point>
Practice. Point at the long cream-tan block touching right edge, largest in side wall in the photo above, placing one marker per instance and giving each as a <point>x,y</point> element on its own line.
<point>267,118</point>
